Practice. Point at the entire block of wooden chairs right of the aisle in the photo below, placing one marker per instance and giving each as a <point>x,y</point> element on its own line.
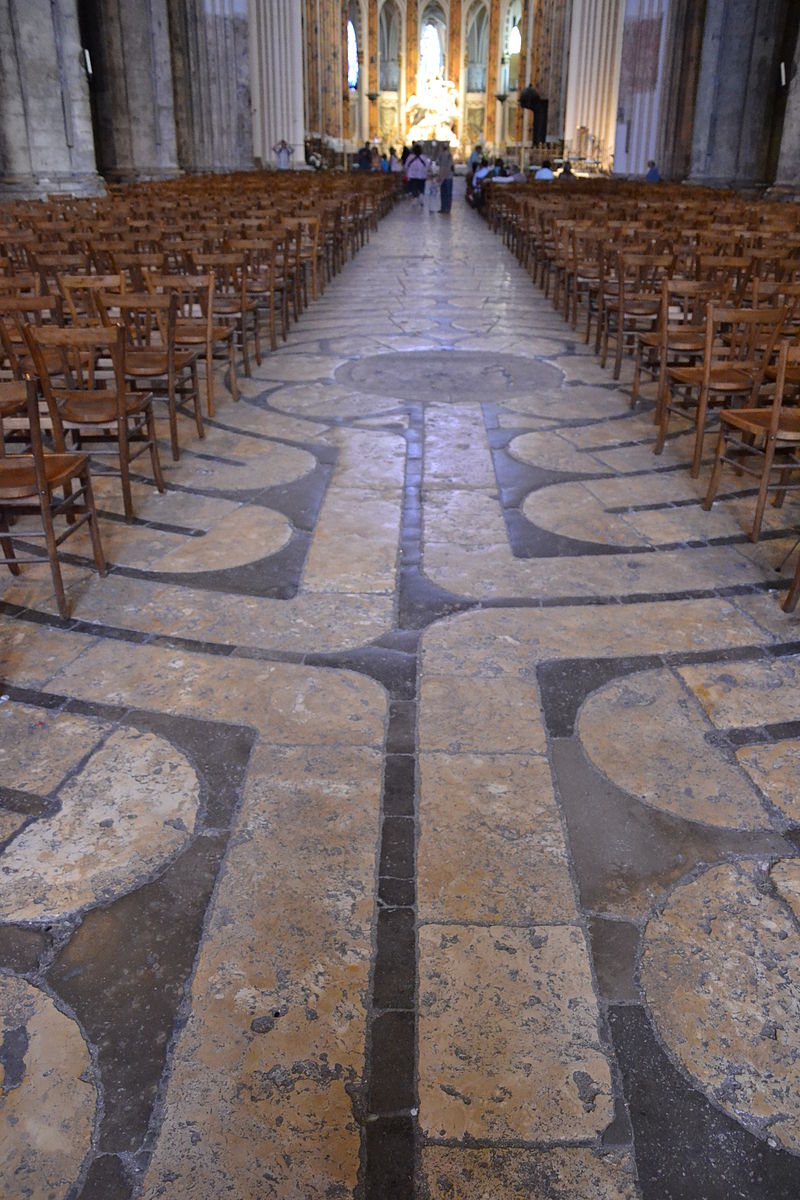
<point>709,309</point>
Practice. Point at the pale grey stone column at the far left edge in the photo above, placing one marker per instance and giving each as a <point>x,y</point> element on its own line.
<point>46,135</point>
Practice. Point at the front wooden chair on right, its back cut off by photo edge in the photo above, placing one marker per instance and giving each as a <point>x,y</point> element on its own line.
<point>768,435</point>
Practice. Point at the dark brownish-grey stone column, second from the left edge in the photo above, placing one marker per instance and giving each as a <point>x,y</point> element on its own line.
<point>133,89</point>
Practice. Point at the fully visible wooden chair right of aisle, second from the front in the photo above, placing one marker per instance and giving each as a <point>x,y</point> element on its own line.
<point>738,345</point>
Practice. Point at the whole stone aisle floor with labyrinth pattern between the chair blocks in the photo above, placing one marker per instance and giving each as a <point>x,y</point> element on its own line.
<point>414,811</point>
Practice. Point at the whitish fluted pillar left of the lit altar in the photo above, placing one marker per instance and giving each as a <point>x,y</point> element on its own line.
<point>276,77</point>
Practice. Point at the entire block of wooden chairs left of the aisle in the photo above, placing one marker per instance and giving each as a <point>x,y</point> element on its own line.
<point>107,305</point>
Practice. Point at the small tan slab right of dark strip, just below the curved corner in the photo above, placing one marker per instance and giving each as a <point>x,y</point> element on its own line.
<point>497,716</point>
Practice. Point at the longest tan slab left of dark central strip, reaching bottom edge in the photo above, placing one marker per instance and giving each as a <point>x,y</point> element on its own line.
<point>260,1095</point>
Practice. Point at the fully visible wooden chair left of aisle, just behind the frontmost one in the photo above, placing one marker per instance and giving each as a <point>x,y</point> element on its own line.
<point>97,407</point>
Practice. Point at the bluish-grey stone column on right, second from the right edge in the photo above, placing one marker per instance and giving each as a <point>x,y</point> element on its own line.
<point>737,91</point>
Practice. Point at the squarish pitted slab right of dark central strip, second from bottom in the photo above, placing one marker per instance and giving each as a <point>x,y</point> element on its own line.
<point>509,1043</point>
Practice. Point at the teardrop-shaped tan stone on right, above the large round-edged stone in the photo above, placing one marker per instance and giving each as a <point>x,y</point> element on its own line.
<point>649,736</point>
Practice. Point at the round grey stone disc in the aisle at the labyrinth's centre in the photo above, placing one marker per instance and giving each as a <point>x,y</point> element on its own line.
<point>449,376</point>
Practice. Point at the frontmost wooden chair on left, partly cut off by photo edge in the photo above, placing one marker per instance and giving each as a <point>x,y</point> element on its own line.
<point>29,483</point>
